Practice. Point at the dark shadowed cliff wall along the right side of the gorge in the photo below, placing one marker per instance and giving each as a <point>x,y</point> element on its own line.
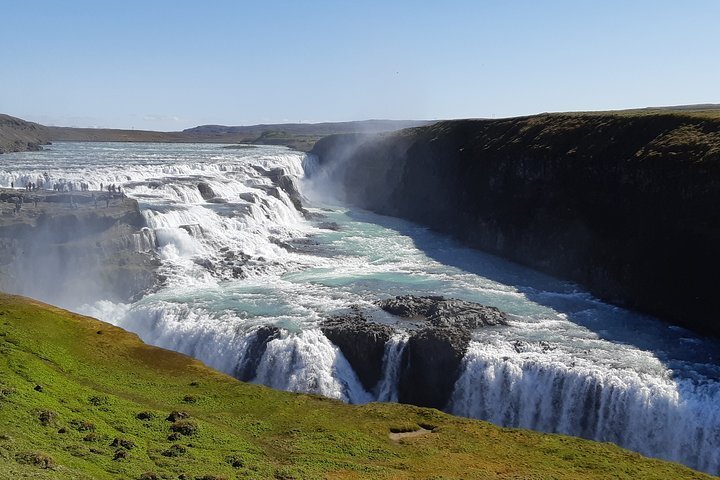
<point>626,205</point>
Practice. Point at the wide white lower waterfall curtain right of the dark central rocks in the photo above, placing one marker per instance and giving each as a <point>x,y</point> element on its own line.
<point>674,419</point>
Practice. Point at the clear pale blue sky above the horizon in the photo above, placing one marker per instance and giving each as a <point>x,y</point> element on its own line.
<point>168,65</point>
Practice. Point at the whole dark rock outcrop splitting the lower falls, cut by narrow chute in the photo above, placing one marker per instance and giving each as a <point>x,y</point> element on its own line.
<point>439,331</point>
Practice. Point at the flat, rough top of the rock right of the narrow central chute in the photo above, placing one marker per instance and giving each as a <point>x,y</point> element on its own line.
<point>440,311</point>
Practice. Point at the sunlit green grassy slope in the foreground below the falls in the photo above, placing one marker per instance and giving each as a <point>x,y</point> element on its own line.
<point>80,399</point>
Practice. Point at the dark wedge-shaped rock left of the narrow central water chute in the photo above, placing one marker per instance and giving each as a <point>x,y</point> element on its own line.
<point>362,342</point>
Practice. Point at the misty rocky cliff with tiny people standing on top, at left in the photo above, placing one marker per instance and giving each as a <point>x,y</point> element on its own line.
<point>68,250</point>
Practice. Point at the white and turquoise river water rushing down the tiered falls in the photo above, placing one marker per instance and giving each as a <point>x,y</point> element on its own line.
<point>567,363</point>
